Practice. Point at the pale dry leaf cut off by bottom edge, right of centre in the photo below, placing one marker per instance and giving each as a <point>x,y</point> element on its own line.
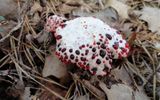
<point>122,92</point>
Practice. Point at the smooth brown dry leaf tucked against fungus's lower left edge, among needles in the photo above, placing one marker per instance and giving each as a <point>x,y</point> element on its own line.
<point>53,66</point>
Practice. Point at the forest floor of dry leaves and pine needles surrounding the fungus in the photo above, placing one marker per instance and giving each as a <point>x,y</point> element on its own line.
<point>30,70</point>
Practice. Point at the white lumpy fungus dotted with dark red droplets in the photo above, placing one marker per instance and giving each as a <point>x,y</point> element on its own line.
<point>88,42</point>
